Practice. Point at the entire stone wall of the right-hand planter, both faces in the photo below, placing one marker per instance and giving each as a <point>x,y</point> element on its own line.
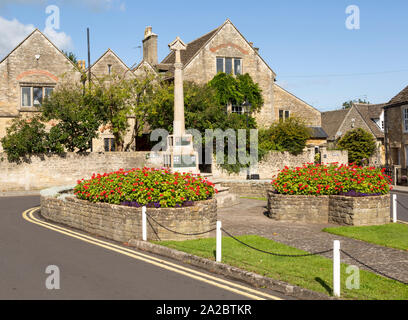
<point>353,211</point>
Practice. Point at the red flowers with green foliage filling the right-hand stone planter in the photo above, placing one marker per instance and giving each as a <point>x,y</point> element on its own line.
<point>312,179</point>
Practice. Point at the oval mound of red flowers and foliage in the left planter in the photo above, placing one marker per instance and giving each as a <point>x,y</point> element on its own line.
<point>149,187</point>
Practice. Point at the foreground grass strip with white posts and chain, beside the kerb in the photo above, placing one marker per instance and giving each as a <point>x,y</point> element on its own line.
<point>314,272</point>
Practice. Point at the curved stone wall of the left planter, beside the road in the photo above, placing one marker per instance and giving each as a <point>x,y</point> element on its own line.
<point>123,223</point>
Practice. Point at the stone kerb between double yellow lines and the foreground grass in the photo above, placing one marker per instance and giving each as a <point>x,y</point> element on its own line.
<point>251,278</point>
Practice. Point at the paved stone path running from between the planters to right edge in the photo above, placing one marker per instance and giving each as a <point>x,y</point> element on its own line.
<point>248,218</point>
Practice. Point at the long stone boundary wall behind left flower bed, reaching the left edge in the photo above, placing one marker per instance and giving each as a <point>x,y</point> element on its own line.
<point>47,171</point>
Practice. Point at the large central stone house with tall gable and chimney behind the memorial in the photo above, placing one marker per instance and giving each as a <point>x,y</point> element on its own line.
<point>225,49</point>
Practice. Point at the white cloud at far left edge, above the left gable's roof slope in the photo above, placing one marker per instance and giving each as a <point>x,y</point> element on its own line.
<point>12,32</point>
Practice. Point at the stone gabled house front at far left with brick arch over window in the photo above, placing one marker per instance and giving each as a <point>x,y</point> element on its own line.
<point>29,73</point>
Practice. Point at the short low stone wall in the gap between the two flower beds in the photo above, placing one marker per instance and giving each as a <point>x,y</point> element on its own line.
<point>249,188</point>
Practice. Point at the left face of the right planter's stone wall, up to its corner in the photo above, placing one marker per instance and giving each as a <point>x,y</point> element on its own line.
<point>298,208</point>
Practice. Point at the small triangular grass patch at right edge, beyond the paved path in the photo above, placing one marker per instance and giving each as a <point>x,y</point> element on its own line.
<point>392,235</point>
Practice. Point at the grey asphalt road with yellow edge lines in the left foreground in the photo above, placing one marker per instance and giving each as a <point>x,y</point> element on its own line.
<point>87,271</point>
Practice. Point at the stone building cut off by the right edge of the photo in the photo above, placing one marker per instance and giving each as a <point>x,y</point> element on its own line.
<point>396,130</point>
